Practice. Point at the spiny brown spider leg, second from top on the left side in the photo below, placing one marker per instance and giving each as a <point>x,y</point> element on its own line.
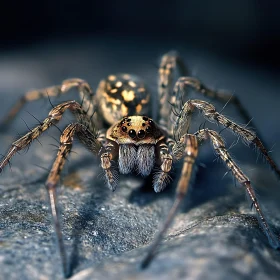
<point>54,116</point>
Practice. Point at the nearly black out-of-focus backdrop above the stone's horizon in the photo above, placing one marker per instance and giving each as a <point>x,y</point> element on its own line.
<point>242,30</point>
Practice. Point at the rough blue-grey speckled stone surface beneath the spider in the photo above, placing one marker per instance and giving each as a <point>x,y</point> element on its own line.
<point>214,236</point>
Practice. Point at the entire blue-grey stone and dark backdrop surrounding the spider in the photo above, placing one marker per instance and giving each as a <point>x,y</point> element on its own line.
<point>231,45</point>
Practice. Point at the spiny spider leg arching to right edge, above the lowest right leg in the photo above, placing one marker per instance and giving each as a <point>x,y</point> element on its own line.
<point>209,111</point>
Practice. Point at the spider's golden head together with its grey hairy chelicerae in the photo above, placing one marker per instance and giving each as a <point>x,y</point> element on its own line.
<point>138,138</point>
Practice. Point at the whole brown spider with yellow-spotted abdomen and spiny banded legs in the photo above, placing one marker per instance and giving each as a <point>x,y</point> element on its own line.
<point>136,142</point>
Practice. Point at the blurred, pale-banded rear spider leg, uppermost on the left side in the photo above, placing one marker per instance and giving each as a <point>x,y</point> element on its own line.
<point>84,89</point>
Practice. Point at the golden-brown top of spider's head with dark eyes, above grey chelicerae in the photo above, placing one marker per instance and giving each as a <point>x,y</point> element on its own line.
<point>135,130</point>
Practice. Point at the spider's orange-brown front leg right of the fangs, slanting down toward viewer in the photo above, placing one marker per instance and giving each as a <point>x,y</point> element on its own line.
<point>190,149</point>
